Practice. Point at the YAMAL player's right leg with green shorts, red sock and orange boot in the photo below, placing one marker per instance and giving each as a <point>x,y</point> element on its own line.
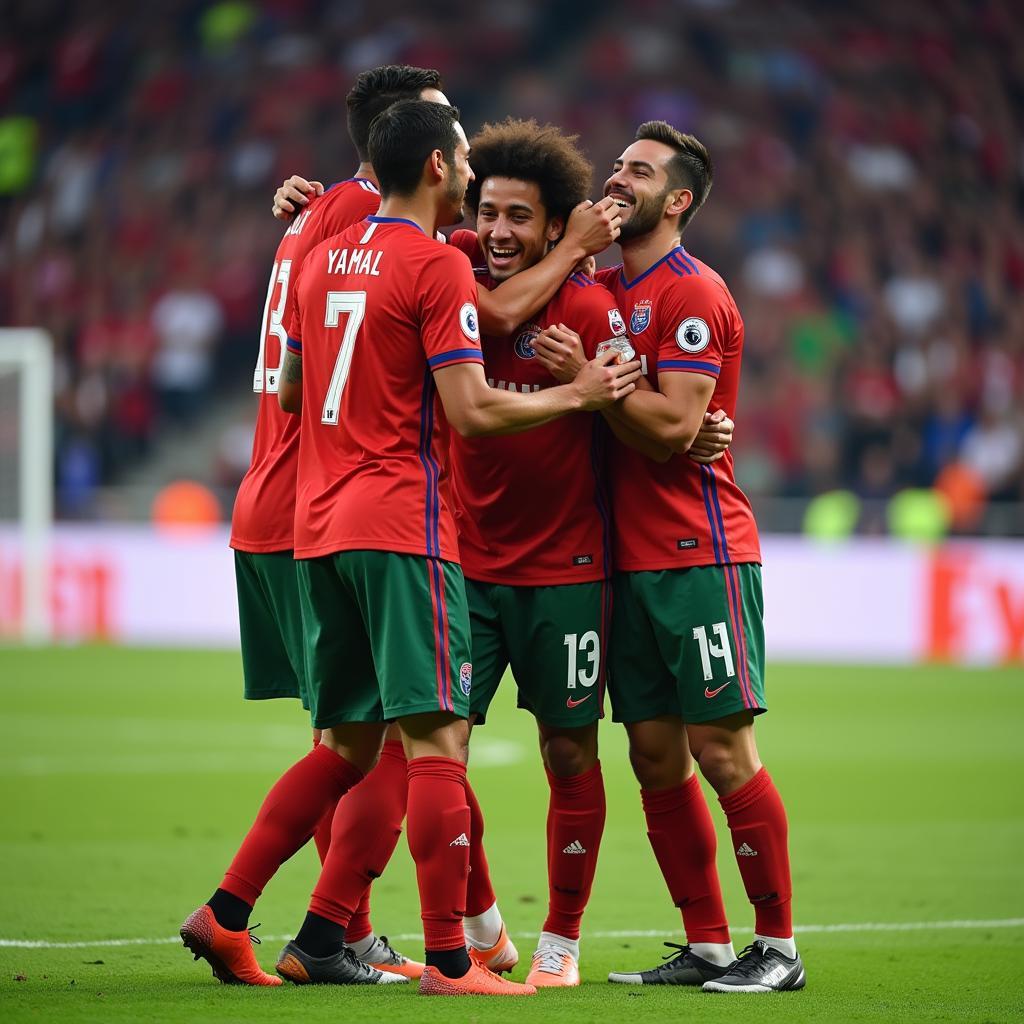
<point>416,615</point>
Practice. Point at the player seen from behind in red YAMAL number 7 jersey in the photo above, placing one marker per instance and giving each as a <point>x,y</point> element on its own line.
<point>386,320</point>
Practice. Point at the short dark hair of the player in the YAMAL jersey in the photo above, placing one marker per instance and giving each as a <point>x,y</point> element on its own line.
<point>404,137</point>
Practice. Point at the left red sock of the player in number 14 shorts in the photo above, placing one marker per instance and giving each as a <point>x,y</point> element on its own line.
<point>682,836</point>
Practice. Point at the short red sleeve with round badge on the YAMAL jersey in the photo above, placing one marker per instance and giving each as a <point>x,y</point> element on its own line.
<point>450,324</point>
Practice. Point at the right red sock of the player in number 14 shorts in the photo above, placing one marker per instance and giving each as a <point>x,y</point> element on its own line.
<point>760,839</point>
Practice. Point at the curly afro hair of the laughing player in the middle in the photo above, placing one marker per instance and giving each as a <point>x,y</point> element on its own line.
<point>529,152</point>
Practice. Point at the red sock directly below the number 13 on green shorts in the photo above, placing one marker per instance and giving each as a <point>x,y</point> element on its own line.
<point>576,823</point>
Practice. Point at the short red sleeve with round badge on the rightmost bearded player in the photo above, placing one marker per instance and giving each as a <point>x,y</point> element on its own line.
<point>697,327</point>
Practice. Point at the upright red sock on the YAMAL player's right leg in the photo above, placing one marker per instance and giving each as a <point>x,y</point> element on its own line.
<point>439,841</point>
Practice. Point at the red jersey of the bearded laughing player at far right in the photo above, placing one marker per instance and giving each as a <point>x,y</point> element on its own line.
<point>681,319</point>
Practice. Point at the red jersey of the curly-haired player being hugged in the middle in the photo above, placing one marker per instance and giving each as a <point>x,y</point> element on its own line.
<point>532,507</point>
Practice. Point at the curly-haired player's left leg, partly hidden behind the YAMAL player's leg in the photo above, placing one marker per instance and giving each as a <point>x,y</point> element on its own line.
<point>486,931</point>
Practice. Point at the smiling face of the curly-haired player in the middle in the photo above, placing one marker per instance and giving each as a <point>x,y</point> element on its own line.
<point>514,226</point>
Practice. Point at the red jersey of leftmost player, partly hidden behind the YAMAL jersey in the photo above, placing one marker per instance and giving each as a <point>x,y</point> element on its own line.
<point>265,509</point>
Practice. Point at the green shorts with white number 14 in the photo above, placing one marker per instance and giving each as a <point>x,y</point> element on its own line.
<point>688,643</point>
